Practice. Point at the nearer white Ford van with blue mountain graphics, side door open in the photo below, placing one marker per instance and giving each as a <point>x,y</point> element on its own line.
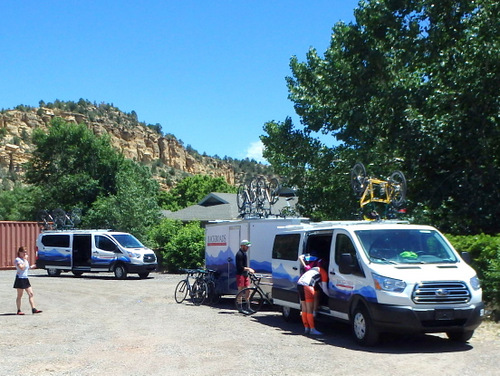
<point>383,277</point>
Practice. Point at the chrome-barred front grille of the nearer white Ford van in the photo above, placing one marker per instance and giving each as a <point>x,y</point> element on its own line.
<point>447,292</point>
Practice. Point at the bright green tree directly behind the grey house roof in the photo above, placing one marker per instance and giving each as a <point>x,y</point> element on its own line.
<point>190,190</point>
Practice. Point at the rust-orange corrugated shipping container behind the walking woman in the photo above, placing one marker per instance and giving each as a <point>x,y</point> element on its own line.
<point>12,236</point>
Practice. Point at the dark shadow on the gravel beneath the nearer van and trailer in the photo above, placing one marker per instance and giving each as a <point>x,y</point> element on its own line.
<point>340,334</point>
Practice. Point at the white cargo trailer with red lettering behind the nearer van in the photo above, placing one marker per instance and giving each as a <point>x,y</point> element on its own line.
<point>222,242</point>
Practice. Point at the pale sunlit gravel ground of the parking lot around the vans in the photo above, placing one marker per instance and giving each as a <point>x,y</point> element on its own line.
<point>96,325</point>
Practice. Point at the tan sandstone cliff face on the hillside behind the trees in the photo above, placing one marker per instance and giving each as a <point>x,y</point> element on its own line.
<point>135,141</point>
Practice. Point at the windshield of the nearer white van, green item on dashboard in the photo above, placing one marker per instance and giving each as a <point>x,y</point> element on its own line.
<point>405,246</point>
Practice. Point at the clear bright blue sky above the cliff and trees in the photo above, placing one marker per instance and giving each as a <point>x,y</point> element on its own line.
<point>210,72</point>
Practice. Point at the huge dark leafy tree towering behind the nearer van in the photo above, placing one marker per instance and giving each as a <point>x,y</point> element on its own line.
<point>411,80</point>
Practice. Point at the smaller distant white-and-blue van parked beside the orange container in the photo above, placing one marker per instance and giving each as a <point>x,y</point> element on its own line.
<point>81,251</point>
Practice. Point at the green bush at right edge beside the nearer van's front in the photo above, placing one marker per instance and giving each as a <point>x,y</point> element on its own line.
<point>485,254</point>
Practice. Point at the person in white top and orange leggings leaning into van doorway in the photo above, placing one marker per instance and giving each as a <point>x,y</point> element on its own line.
<point>306,286</point>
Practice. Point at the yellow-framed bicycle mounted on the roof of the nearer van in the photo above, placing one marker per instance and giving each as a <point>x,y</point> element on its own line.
<point>369,190</point>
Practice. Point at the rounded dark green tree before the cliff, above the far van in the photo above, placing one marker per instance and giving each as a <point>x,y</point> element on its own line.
<point>72,166</point>
